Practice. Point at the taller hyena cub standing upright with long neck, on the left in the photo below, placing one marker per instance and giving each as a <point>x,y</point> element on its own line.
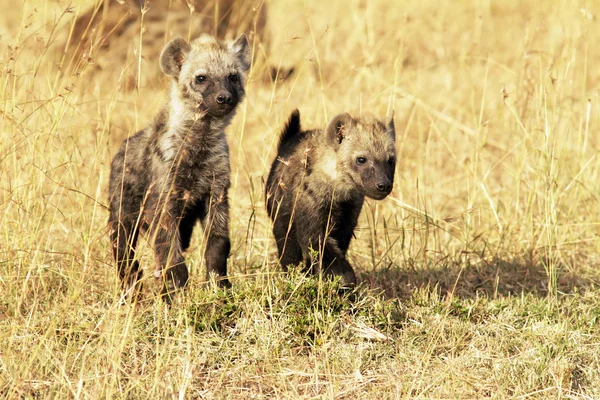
<point>176,172</point>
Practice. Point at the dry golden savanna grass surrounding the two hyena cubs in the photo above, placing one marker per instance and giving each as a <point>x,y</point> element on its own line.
<point>479,272</point>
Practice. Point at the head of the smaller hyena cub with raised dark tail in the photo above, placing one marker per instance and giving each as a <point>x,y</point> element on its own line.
<point>366,152</point>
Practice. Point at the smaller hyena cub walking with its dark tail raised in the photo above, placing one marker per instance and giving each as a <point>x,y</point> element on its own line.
<point>317,186</point>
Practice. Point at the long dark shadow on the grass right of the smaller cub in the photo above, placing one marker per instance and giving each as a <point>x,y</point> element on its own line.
<point>496,278</point>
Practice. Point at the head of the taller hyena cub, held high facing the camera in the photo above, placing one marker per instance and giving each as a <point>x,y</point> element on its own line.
<point>209,73</point>
